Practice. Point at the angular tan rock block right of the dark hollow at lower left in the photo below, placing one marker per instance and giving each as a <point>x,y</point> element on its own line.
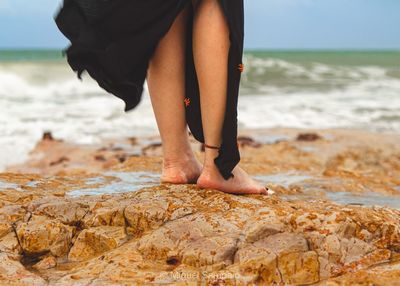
<point>94,241</point>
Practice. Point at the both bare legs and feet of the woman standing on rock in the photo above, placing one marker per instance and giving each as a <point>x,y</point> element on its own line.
<point>166,77</point>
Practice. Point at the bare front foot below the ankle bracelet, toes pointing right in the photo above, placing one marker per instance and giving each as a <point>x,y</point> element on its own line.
<point>241,183</point>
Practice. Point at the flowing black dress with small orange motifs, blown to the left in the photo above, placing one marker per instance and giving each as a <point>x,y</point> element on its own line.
<point>113,40</point>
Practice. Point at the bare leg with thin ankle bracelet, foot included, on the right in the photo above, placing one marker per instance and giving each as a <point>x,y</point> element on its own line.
<point>210,50</point>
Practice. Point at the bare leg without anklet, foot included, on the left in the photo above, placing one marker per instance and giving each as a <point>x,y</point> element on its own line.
<point>166,82</point>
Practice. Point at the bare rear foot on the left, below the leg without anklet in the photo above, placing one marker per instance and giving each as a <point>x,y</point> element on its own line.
<point>184,170</point>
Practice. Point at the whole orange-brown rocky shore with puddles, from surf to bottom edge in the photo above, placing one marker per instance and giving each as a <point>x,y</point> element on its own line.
<point>97,215</point>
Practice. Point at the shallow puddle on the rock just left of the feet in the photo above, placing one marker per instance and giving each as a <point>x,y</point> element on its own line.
<point>124,182</point>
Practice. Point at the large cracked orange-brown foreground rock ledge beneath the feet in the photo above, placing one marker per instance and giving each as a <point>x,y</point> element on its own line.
<point>177,229</point>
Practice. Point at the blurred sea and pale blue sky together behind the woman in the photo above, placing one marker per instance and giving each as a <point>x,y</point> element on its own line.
<point>309,64</point>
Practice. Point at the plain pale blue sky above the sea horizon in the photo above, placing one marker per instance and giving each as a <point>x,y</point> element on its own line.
<point>269,24</point>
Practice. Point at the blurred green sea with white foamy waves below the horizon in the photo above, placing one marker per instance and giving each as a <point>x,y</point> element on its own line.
<point>302,89</point>
